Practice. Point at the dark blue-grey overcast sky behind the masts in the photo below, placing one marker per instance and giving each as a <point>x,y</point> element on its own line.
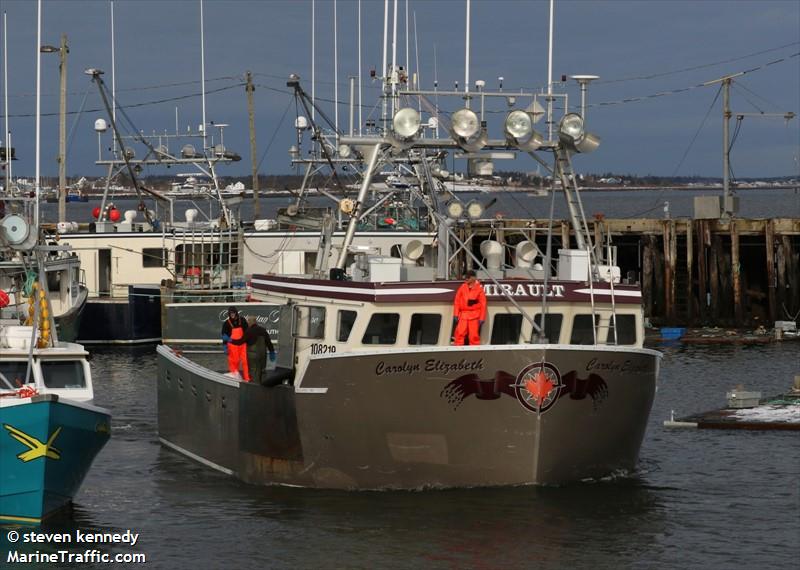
<point>640,48</point>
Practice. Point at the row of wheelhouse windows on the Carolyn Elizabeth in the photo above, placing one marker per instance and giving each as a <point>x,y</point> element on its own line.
<point>425,327</point>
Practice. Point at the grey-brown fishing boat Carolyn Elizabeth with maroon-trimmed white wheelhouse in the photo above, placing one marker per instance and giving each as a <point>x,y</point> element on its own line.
<point>369,391</point>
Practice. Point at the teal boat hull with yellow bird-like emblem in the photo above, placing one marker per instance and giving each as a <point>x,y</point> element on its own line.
<point>41,477</point>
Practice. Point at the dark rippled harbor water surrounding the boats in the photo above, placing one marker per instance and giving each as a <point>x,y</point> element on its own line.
<point>700,498</point>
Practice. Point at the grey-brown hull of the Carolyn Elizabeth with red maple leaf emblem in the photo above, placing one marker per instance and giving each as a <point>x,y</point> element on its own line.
<point>415,418</point>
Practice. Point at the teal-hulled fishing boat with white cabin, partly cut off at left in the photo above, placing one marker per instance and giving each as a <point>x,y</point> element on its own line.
<point>50,431</point>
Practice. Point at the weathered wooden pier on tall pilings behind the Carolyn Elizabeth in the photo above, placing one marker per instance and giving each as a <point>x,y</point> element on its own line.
<point>732,273</point>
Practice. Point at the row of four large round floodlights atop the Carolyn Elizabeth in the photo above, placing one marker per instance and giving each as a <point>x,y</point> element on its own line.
<point>470,135</point>
